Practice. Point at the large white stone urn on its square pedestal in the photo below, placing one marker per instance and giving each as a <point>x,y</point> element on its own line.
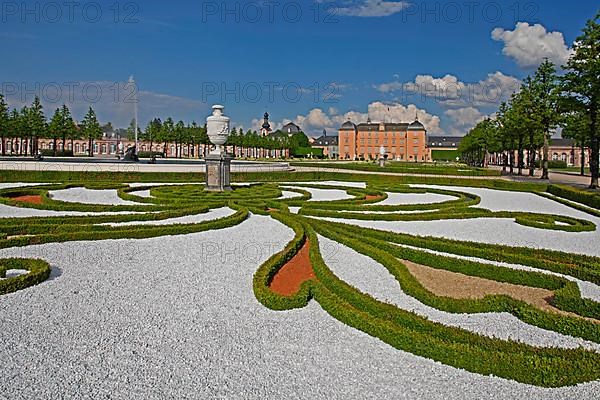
<point>218,162</point>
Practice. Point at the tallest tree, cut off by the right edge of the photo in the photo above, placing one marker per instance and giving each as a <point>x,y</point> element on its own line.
<point>581,86</point>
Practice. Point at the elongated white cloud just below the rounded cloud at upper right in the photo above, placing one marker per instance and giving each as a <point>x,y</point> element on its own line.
<point>449,91</point>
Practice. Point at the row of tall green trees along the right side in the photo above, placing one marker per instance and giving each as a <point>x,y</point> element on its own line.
<point>546,101</point>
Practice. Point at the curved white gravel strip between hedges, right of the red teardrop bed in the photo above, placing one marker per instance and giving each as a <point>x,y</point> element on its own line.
<point>370,277</point>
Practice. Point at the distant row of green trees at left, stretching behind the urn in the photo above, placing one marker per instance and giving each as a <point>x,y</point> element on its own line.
<point>22,129</point>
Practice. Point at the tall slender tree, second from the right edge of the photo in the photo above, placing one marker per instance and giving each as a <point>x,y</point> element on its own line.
<point>546,97</point>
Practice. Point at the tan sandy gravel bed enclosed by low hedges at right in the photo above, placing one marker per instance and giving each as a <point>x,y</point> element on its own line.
<point>459,286</point>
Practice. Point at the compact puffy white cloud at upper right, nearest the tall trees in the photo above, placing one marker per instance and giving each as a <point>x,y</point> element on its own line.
<point>528,45</point>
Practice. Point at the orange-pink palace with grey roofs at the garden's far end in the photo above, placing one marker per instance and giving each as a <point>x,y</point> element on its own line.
<point>402,141</point>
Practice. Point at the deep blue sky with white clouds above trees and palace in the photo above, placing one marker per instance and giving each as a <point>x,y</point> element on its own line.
<point>317,63</point>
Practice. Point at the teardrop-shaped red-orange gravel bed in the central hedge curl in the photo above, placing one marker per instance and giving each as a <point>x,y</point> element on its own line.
<point>294,273</point>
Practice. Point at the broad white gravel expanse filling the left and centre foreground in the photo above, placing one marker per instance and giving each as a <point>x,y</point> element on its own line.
<point>175,317</point>
